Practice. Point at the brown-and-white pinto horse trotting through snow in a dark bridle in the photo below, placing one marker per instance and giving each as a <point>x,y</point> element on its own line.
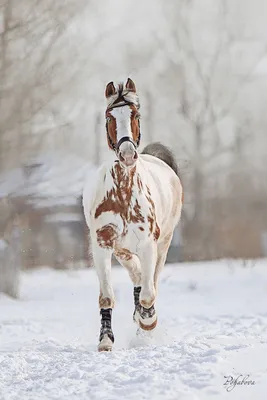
<point>131,210</point>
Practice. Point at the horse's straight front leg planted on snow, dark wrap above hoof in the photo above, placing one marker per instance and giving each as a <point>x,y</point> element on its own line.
<point>102,262</point>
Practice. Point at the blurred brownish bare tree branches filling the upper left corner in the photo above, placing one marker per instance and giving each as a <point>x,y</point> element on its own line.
<point>34,49</point>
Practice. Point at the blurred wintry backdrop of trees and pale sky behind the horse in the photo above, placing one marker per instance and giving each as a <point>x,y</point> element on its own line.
<point>200,68</point>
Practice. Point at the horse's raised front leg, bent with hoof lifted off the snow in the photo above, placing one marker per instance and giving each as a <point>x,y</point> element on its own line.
<point>144,296</point>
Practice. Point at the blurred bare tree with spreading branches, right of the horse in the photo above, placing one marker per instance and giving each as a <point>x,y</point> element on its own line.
<point>207,100</point>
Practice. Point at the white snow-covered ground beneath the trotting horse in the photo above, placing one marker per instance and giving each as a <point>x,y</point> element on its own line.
<point>212,323</point>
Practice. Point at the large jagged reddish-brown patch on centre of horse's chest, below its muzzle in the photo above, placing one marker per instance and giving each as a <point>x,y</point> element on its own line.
<point>118,199</point>
